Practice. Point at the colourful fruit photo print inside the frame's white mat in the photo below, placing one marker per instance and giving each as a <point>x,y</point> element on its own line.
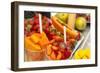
<point>45,38</point>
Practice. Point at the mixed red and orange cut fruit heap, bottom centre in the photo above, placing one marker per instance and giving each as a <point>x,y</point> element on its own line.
<point>58,50</point>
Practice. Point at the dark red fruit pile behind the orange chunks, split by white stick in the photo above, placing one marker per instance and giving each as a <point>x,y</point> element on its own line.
<point>31,25</point>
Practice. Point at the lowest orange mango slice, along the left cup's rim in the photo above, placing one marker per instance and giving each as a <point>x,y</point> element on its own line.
<point>30,45</point>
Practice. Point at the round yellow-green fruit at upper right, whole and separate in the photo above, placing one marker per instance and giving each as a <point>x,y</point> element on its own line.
<point>80,23</point>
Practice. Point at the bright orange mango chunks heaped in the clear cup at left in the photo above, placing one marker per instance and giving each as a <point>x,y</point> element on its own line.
<point>36,41</point>
